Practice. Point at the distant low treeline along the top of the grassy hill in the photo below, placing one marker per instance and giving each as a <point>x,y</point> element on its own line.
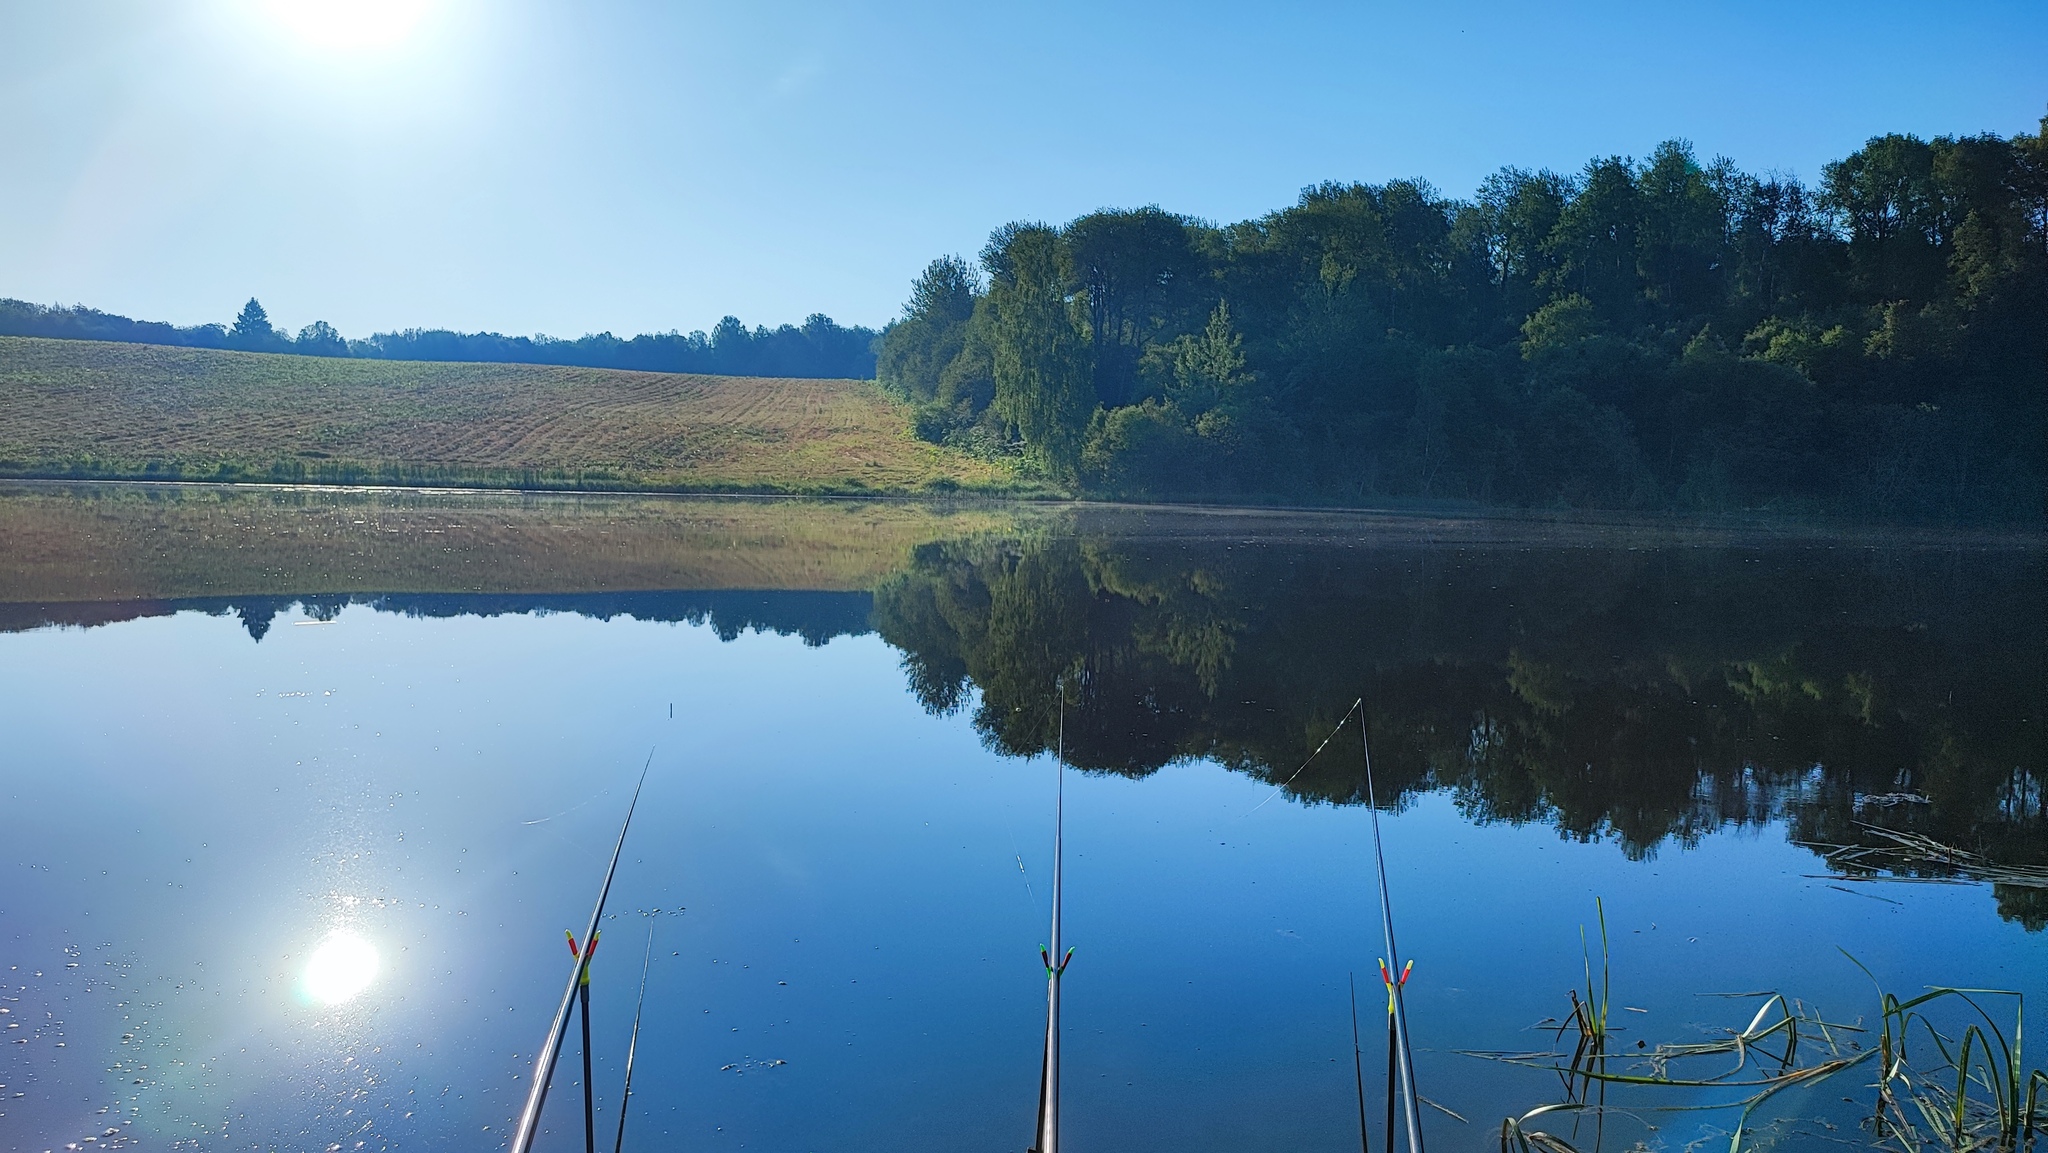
<point>818,349</point>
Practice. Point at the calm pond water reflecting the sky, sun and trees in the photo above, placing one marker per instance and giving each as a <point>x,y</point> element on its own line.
<point>302,792</point>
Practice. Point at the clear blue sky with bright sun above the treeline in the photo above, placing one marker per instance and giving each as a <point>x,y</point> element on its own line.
<point>642,167</point>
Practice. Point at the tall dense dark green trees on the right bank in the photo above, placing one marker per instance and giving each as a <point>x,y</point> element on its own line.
<point>1639,335</point>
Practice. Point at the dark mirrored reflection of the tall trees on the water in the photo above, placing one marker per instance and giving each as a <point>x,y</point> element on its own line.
<point>1631,691</point>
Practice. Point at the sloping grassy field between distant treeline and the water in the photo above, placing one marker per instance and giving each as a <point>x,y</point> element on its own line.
<point>81,409</point>
